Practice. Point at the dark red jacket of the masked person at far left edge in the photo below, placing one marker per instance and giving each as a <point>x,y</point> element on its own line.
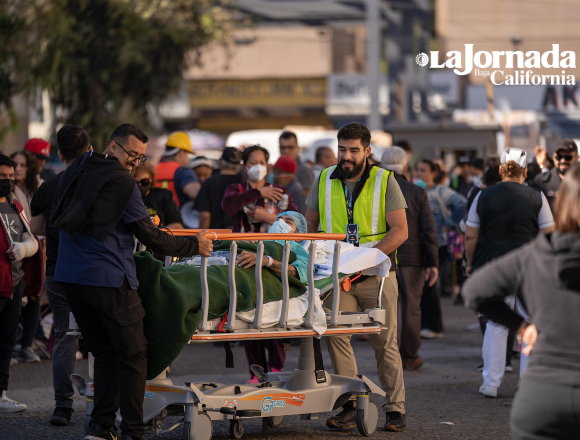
<point>32,266</point>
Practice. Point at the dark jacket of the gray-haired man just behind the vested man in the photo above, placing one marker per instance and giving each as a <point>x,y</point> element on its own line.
<point>420,249</point>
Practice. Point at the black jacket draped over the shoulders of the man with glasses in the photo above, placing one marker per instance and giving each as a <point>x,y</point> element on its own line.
<point>94,184</point>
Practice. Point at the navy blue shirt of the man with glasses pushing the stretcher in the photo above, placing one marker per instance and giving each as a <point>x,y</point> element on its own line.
<point>83,259</point>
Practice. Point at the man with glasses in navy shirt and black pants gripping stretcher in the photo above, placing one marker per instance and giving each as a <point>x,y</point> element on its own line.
<point>98,209</point>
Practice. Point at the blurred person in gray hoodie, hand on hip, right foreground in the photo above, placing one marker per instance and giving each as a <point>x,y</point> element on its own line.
<point>545,275</point>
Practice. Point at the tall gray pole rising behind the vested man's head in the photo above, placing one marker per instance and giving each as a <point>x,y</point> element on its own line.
<point>373,15</point>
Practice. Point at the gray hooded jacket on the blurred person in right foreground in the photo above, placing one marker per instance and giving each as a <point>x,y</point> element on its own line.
<point>545,275</point>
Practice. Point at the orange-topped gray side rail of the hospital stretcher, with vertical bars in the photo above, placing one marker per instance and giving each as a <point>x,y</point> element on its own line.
<point>368,321</point>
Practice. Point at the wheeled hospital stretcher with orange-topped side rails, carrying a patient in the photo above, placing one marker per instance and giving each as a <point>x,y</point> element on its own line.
<point>306,391</point>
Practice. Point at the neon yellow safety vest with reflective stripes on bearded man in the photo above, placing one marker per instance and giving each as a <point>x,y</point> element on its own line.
<point>368,210</point>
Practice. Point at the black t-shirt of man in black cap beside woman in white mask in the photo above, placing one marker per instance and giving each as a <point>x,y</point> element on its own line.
<point>210,199</point>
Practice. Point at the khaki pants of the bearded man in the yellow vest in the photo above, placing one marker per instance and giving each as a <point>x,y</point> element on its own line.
<point>389,366</point>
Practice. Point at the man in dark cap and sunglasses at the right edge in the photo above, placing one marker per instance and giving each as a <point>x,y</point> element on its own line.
<point>565,155</point>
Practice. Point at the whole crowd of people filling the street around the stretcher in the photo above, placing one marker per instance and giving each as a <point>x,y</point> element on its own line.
<point>499,234</point>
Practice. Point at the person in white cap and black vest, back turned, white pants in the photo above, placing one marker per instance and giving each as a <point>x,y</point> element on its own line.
<point>502,218</point>
